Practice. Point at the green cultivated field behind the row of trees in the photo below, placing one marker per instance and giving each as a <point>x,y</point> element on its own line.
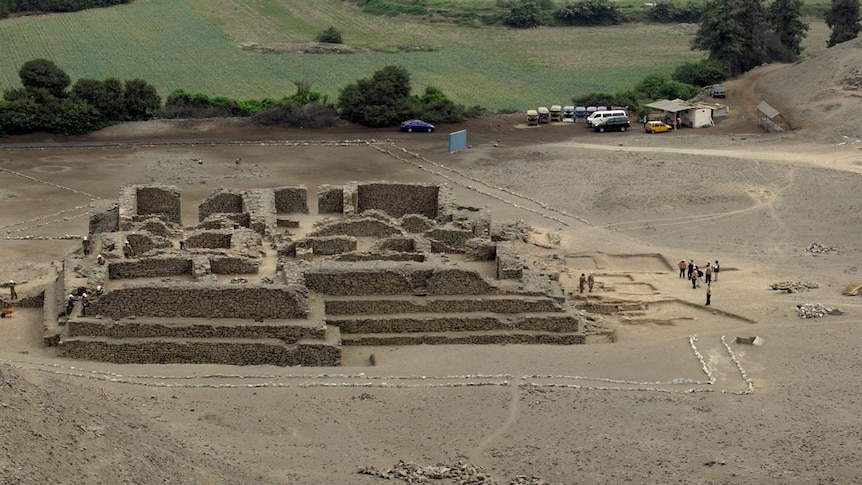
<point>208,46</point>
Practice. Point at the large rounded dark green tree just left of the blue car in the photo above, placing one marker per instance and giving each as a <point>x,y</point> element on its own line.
<point>379,101</point>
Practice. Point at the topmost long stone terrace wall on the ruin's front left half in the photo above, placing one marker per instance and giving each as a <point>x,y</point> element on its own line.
<point>191,300</point>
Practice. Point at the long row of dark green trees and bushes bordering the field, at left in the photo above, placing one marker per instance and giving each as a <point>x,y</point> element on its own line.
<point>48,101</point>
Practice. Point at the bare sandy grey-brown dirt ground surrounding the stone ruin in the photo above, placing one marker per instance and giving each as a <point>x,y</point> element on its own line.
<point>674,399</point>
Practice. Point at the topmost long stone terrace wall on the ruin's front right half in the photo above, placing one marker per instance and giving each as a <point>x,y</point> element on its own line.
<point>387,278</point>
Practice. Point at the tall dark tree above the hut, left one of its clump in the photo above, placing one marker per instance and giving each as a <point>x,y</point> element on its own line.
<point>734,33</point>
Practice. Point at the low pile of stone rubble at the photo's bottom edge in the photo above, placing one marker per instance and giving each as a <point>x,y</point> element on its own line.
<point>461,474</point>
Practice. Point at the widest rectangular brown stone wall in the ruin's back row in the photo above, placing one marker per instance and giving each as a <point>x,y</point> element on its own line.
<point>398,199</point>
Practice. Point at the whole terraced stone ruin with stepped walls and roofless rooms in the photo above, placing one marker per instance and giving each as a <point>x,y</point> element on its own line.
<point>261,280</point>
